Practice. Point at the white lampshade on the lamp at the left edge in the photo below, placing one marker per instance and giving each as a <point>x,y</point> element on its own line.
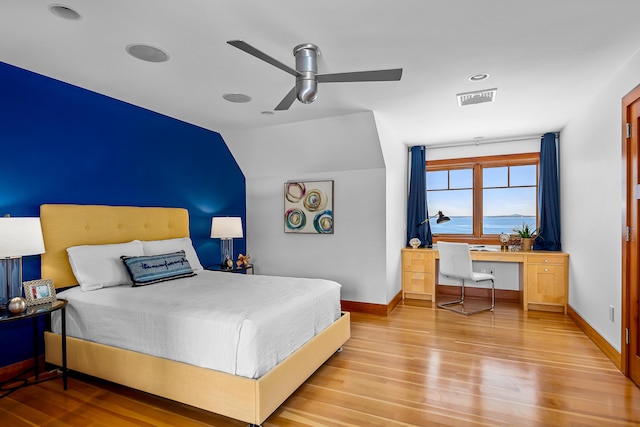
<point>20,237</point>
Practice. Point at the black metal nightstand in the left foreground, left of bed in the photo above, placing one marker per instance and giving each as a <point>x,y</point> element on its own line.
<point>33,312</point>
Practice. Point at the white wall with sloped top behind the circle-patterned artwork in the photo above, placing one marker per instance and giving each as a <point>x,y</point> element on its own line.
<point>345,149</point>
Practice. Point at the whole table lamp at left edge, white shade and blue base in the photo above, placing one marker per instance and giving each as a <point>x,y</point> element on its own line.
<point>18,237</point>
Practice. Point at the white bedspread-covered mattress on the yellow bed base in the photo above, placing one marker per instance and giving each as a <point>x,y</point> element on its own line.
<point>235,323</point>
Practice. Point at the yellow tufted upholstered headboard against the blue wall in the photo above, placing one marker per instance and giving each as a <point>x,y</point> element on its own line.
<point>71,225</point>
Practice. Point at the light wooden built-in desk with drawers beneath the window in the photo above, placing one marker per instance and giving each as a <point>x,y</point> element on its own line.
<point>543,276</point>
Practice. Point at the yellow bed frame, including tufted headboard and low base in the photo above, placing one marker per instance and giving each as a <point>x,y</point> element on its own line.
<point>249,400</point>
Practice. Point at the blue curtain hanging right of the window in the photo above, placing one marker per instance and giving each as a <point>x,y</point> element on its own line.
<point>549,196</point>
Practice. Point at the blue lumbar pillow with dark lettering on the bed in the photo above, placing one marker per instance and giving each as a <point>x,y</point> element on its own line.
<point>145,270</point>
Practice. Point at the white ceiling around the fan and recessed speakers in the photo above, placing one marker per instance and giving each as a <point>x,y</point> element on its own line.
<point>546,57</point>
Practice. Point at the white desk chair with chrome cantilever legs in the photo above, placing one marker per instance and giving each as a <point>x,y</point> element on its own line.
<point>455,262</point>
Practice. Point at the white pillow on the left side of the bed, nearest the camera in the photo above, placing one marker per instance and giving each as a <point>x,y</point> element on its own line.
<point>100,266</point>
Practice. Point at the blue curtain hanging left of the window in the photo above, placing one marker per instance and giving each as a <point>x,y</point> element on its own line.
<point>417,208</point>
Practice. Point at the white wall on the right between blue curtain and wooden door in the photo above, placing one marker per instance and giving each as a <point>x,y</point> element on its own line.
<point>591,203</point>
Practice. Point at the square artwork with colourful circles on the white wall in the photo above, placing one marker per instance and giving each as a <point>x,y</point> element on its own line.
<point>308,207</point>
